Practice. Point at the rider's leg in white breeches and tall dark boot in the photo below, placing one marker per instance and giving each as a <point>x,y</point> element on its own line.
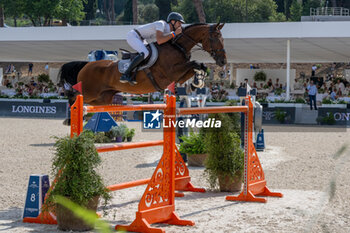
<point>136,43</point>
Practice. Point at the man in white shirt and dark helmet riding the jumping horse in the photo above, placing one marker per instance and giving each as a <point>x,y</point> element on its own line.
<point>160,30</point>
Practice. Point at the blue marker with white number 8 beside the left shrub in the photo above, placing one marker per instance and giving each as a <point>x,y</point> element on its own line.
<point>37,188</point>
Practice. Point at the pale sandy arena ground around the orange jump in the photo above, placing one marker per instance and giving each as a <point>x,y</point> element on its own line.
<point>299,161</point>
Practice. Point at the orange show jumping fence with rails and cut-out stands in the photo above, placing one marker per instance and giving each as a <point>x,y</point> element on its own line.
<point>157,204</point>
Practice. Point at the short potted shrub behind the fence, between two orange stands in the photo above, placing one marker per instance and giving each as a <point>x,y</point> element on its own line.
<point>193,145</point>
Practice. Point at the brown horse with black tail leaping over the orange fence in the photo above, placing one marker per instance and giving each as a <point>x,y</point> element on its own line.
<point>100,79</point>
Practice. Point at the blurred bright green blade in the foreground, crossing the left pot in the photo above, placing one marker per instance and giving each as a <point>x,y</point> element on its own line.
<point>88,216</point>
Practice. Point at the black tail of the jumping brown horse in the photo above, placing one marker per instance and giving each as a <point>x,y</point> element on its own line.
<point>68,73</point>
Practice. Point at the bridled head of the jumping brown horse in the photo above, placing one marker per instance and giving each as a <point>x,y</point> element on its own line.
<point>213,43</point>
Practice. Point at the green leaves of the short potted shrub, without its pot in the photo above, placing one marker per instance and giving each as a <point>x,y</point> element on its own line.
<point>192,144</point>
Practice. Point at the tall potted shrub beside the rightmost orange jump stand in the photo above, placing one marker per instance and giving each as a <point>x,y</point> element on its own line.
<point>225,162</point>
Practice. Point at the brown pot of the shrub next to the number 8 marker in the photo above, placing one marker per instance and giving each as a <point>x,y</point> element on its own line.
<point>67,221</point>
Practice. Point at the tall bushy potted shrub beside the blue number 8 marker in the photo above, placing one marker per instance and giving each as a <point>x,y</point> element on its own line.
<point>74,166</point>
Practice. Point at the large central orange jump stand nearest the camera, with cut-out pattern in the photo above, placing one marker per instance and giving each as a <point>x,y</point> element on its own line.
<point>157,204</point>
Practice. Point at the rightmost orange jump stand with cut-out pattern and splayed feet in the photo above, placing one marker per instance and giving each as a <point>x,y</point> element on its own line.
<point>254,178</point>
